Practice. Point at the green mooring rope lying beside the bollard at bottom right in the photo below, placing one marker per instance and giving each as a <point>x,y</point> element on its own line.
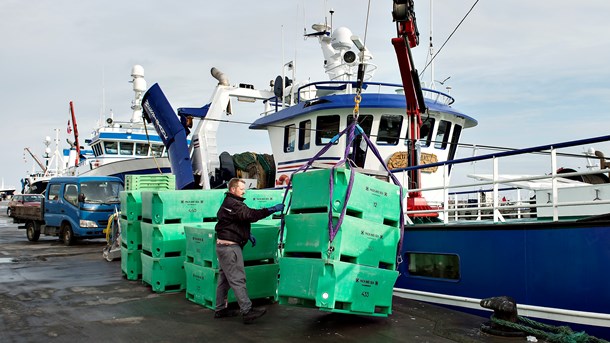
<point>555,334</point>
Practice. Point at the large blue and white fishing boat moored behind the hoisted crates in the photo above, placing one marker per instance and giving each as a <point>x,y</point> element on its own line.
<point>541,239</point>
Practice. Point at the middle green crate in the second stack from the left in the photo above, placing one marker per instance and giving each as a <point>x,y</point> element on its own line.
<point>165,240</point>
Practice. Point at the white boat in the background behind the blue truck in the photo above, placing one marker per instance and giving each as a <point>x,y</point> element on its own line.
<point>115,148</point>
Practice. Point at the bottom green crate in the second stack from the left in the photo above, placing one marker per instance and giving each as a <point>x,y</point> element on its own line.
<point>163,274</point>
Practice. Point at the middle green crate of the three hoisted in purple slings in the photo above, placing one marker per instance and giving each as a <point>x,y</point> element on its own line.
<point>358,241</point>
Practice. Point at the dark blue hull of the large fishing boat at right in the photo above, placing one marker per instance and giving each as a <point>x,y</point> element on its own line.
<point>560,266</point>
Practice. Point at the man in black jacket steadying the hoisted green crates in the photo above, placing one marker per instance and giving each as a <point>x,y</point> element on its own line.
<point>232,234</point>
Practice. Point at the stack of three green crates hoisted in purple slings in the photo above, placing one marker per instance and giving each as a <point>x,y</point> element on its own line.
<point>355,273</point>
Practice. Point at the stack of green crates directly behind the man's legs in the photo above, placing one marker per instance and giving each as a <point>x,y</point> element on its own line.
<point>201,265</point>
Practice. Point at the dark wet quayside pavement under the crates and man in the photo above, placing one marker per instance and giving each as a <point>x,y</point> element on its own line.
<point>53,293</point>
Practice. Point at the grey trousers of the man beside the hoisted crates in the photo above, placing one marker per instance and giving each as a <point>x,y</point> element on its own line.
<point>232,275</point>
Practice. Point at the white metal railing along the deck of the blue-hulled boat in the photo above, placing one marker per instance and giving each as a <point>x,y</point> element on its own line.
<point>485,199</point>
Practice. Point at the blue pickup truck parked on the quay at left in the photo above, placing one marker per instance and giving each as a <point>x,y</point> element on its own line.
<point>74,207</point>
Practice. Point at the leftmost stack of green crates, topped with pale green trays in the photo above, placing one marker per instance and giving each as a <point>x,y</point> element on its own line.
<point>131,216</point>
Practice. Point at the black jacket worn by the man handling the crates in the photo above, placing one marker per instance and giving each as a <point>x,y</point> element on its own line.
<point>234,218</point>
